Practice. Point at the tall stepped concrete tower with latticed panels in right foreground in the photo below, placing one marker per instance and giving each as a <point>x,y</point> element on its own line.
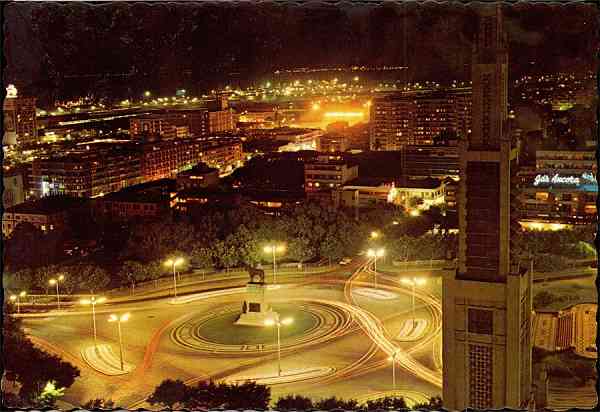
<point>487,299</point>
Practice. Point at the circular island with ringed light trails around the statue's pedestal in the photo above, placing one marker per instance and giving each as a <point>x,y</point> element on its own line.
<point>216,333</point>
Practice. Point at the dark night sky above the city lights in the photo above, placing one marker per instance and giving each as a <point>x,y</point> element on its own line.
<point>55,50</point>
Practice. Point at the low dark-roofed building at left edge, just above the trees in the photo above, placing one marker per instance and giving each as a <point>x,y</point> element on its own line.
<point>48,214</point>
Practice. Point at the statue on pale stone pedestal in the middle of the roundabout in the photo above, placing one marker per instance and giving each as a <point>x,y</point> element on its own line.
<point>255,309</point>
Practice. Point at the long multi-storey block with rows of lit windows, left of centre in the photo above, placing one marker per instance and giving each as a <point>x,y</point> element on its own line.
<point>101,168</point>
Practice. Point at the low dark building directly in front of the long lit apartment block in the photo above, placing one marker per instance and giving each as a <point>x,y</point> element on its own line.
<point>144,201</point>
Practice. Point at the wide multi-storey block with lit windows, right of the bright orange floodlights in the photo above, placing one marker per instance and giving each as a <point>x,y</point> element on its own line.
<point>418,117</point>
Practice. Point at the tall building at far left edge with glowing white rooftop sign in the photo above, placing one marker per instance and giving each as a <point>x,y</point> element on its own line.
<point>20,122</point>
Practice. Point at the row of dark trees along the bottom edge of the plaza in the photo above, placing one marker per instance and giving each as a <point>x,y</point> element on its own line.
<point>250,395</point>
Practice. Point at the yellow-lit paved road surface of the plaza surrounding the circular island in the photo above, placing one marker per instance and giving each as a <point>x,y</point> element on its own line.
<point>359,365</point>
